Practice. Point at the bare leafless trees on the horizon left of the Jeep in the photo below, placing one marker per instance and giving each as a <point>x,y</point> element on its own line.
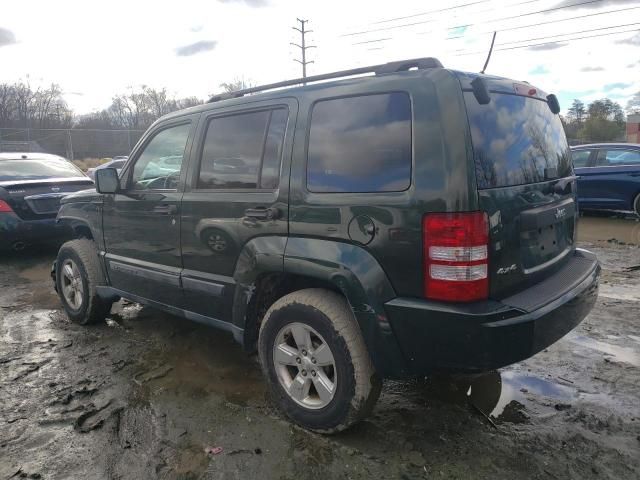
<point>24,106</point>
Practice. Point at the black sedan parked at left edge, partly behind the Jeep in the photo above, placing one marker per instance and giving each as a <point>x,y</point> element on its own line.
<point>31,186</point>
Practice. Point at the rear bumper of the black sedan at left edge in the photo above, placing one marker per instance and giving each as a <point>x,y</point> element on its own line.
<point>15,231</point>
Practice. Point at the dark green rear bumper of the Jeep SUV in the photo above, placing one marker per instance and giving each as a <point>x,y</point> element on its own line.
<point>489,335</point>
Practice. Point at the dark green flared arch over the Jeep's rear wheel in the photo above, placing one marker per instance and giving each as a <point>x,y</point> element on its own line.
<point>262,277</point>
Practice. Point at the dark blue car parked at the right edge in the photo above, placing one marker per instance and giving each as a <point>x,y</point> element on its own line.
<point>608,176</point>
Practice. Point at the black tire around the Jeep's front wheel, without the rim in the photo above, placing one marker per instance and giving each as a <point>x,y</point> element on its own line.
<point>83,254</point>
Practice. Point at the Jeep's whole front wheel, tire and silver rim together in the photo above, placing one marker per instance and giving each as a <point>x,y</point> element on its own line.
<point>78,273</point>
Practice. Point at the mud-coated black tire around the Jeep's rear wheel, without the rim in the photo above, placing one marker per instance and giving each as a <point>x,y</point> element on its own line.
<point>357,385</point>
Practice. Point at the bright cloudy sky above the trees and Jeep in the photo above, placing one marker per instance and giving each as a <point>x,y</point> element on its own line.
<point>97,49</point>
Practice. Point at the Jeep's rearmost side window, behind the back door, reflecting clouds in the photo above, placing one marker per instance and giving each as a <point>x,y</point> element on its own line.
<point>360,144</point>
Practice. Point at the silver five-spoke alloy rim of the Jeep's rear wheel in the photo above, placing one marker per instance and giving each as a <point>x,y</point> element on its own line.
<point>305,366</point>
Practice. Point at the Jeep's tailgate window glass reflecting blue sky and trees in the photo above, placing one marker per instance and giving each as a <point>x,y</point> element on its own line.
<point>516,140</point>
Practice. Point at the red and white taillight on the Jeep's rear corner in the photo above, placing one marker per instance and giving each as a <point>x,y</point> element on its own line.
<point>456,256</point>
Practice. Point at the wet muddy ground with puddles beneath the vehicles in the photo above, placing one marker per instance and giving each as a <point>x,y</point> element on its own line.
<point>144,395</point>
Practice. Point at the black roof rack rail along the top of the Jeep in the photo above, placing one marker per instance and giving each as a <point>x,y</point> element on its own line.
<point>391,67</point>
